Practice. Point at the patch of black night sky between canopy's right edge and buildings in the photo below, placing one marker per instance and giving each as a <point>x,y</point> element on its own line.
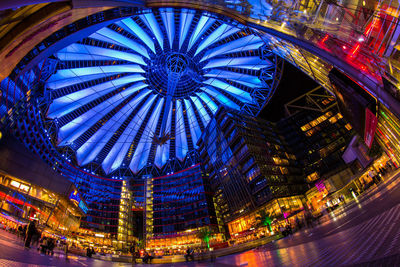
<point>293,84</point>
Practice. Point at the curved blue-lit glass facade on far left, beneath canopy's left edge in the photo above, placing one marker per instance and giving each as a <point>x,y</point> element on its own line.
<point>101,194</point>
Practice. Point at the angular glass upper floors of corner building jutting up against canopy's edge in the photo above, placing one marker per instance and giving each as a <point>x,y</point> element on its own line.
<point>248,163</point>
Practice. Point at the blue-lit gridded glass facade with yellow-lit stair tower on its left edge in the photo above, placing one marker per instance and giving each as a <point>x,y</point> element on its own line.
<point>177,204</point>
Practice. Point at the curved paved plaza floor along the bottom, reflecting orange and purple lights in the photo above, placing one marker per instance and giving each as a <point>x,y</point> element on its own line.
<point>365,233</point>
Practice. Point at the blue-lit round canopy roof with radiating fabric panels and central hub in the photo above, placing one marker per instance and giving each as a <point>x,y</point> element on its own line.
<point>141,90</point>
